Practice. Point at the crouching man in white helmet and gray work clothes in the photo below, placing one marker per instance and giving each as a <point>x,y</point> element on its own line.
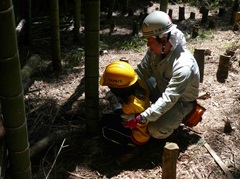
<point>171,73</point>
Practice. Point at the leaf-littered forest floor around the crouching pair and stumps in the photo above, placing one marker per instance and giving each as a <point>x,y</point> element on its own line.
<point>55,108</point>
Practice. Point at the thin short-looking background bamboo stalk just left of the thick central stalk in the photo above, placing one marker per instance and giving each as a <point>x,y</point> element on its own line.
<point>77,13</point>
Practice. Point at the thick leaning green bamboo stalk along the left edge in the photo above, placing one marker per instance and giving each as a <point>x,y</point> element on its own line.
<point>11,96</point>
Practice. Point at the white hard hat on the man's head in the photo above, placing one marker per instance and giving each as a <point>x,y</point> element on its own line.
<point>157,23</point>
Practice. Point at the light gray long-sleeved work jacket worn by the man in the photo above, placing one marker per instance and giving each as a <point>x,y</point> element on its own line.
<point>177,77</point>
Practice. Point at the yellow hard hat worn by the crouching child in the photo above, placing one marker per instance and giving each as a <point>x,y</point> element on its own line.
<point>119,74</point>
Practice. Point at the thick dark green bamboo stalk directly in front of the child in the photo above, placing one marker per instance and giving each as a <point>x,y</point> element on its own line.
<point>92,27</point>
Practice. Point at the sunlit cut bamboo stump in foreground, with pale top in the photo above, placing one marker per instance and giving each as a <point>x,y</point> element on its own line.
<point>169,160</point>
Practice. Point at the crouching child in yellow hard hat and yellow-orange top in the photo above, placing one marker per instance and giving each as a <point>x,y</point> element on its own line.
<point>129,96</point>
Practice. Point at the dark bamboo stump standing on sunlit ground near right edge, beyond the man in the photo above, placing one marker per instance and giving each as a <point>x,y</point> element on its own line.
<point>222,72</point>
